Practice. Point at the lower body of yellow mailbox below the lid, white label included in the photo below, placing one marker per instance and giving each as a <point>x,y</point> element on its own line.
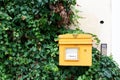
<point>75,55</point>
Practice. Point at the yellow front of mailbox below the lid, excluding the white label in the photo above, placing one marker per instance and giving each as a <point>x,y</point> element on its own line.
<point>84,56</point>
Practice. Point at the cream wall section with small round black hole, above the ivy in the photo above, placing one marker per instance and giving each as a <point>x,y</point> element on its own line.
<point>93,12</point>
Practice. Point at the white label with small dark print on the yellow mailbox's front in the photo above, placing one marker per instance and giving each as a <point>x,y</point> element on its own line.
<point>71,54</point>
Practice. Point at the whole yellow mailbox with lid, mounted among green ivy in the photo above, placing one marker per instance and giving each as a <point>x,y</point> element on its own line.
<point>75,50</point>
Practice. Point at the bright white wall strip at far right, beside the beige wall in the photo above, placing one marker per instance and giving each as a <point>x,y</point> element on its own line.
<point>116,30</point>
